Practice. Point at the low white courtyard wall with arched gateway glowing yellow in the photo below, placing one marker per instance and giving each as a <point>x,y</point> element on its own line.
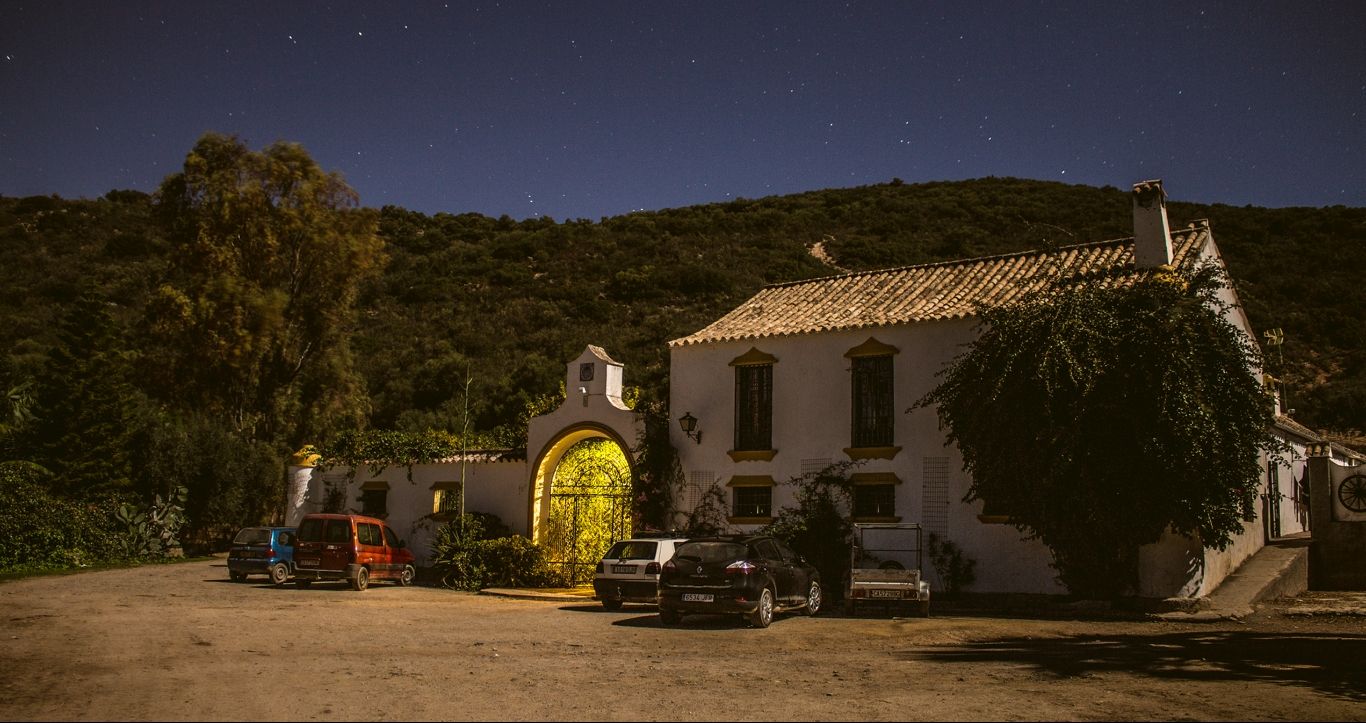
<point>570,493</point>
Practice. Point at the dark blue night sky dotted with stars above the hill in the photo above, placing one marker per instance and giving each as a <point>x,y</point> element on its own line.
<point>589,110</point>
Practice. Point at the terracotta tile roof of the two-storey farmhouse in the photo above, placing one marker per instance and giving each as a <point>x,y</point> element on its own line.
<point>931,292</point>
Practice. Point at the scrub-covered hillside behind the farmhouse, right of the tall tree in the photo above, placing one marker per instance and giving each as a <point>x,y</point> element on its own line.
<point>635,282</point>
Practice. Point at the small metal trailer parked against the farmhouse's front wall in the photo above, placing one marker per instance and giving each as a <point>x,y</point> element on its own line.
<point>886,561</point>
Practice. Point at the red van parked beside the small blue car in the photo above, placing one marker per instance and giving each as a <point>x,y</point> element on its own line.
<point>356,549</point>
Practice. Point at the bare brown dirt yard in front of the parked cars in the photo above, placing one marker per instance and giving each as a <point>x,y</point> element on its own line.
<point>181,643</point>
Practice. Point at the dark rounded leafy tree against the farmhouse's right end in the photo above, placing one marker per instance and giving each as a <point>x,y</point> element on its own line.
<point>1099,416</point>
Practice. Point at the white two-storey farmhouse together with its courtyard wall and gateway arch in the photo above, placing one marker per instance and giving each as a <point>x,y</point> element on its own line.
<point>811,374</point>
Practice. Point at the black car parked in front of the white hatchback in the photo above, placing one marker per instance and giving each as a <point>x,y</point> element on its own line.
<point>749,575</point>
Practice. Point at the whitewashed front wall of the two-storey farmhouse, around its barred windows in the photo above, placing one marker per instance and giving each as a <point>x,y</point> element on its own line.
<point>812,390</point>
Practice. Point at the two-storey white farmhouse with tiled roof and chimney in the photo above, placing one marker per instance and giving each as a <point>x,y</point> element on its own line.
<point>818,372</point>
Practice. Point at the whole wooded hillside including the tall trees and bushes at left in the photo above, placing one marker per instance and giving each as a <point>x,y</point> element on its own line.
<point>111,393</point>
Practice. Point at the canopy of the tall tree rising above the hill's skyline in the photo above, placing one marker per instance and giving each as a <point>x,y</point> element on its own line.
<point>268,256</point>
